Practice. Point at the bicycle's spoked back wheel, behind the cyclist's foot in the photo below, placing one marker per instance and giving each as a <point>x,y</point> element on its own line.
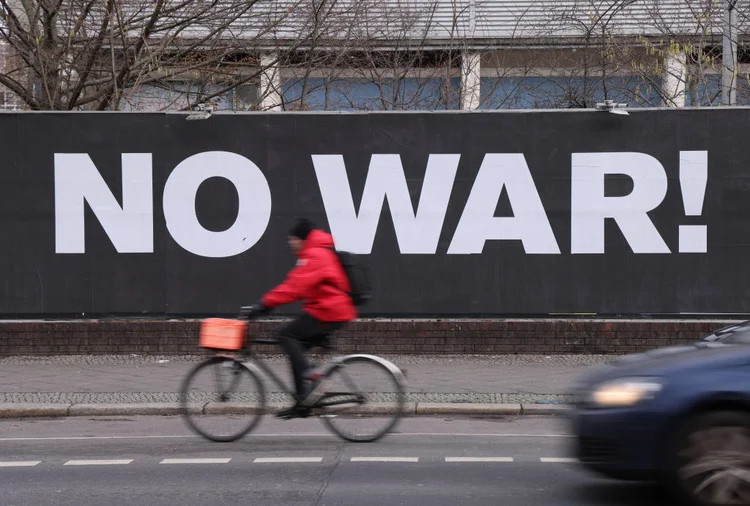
<point>388,411</point>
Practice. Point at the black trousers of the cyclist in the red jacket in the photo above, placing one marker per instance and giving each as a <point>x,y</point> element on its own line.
<point>297,337</point>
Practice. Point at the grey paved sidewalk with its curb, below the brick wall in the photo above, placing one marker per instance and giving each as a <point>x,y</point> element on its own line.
<point>143,384</point>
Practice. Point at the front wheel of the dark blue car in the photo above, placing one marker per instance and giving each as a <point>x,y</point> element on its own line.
<point>710,461</point>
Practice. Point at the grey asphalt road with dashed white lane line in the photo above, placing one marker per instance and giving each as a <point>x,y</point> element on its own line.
<point>429,461</point>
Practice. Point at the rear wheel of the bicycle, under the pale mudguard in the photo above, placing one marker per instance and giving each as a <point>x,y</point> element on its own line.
<point>364,400</point>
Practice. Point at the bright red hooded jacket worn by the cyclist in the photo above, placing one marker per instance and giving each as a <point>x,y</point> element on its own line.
<point>319,279</point>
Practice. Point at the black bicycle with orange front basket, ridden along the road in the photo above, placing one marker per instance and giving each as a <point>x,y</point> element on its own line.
<point>242,399</point>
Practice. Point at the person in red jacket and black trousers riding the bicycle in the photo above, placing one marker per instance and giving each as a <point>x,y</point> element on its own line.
<point>320,281</point>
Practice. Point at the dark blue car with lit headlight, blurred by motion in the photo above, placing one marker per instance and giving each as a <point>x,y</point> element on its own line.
<point>678,415</point>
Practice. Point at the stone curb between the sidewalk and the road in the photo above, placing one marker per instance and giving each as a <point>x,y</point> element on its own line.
<point>29,410</point>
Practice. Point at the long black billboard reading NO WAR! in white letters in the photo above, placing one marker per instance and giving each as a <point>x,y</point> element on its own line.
<point>481,213</point>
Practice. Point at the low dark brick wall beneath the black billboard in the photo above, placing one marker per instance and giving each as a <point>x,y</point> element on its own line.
<point>544,336</point>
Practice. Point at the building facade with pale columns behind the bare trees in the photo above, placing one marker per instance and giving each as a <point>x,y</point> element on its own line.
<point>426,55</point>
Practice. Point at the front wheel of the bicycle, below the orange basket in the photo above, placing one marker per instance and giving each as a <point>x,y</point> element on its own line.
<point>221,399</point>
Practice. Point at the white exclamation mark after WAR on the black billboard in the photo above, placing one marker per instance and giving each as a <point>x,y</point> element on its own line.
<point>693,179</point>
